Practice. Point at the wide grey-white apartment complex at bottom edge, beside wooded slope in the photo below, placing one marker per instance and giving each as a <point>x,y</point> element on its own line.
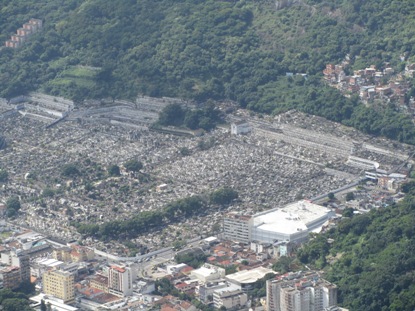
<point>300,293</point>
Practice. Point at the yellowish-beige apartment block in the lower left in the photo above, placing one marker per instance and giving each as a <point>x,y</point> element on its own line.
<point>60,284</point>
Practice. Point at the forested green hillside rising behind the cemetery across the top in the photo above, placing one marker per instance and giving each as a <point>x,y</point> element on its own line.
<point>238,50</point>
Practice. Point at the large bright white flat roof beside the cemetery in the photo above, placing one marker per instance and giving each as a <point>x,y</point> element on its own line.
<point>290,218</point>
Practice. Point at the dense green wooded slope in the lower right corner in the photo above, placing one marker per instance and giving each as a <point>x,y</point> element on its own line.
<point>372,258</point>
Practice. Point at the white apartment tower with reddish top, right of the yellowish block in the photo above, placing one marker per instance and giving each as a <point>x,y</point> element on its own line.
<point>120,281</point>
